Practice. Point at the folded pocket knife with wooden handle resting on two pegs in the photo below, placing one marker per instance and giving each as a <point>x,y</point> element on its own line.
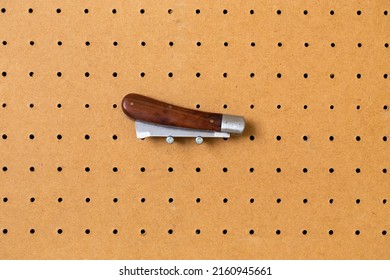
<point>154,118</point>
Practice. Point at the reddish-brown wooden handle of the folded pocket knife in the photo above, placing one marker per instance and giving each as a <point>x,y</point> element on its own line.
<point>139,107</point>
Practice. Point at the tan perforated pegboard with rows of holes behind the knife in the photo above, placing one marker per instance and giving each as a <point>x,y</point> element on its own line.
<point>308,179</point>
